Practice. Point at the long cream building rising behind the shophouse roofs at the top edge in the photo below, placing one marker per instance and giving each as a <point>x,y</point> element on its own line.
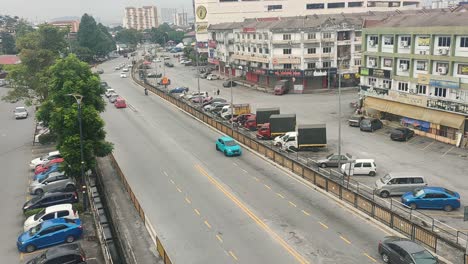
<point>208,12</point>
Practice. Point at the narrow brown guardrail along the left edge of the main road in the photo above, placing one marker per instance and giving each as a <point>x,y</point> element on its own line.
<point>141,212</point>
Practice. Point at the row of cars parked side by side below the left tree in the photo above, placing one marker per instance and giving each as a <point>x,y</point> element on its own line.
<point>52,218</point>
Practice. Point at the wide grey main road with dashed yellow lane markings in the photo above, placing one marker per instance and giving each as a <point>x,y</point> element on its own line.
<point>211,209</point>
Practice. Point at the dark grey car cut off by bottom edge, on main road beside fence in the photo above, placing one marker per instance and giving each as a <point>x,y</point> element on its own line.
<point>399,250</point>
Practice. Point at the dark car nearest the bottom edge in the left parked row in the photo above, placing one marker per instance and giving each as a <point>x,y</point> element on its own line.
<point>67,253</point>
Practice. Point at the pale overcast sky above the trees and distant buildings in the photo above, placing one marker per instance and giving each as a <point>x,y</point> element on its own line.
<point>107,11</point>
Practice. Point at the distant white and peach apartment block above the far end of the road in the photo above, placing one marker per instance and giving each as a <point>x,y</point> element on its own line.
<point>140,18</point>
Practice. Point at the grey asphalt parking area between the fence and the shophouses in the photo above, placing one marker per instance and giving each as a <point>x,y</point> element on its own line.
<point>442,165</point>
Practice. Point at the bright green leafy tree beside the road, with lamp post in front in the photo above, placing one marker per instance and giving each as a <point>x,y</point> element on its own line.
<point>60,112</point>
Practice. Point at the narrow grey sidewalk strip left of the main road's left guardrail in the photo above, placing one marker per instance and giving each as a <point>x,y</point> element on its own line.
<point>135,239</point>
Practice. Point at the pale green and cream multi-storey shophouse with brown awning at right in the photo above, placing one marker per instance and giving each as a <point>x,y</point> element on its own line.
<point>415,71</point>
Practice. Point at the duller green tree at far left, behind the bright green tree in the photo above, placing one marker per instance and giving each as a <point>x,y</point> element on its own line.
<point>38,51</point>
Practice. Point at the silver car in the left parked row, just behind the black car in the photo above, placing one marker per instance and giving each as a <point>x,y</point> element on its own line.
<point>55,181</point>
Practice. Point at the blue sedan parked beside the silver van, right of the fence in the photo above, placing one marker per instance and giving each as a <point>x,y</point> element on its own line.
<point>432,198</point>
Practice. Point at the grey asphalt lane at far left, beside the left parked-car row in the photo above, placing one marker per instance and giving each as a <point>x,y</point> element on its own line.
<point>15,155</point>
